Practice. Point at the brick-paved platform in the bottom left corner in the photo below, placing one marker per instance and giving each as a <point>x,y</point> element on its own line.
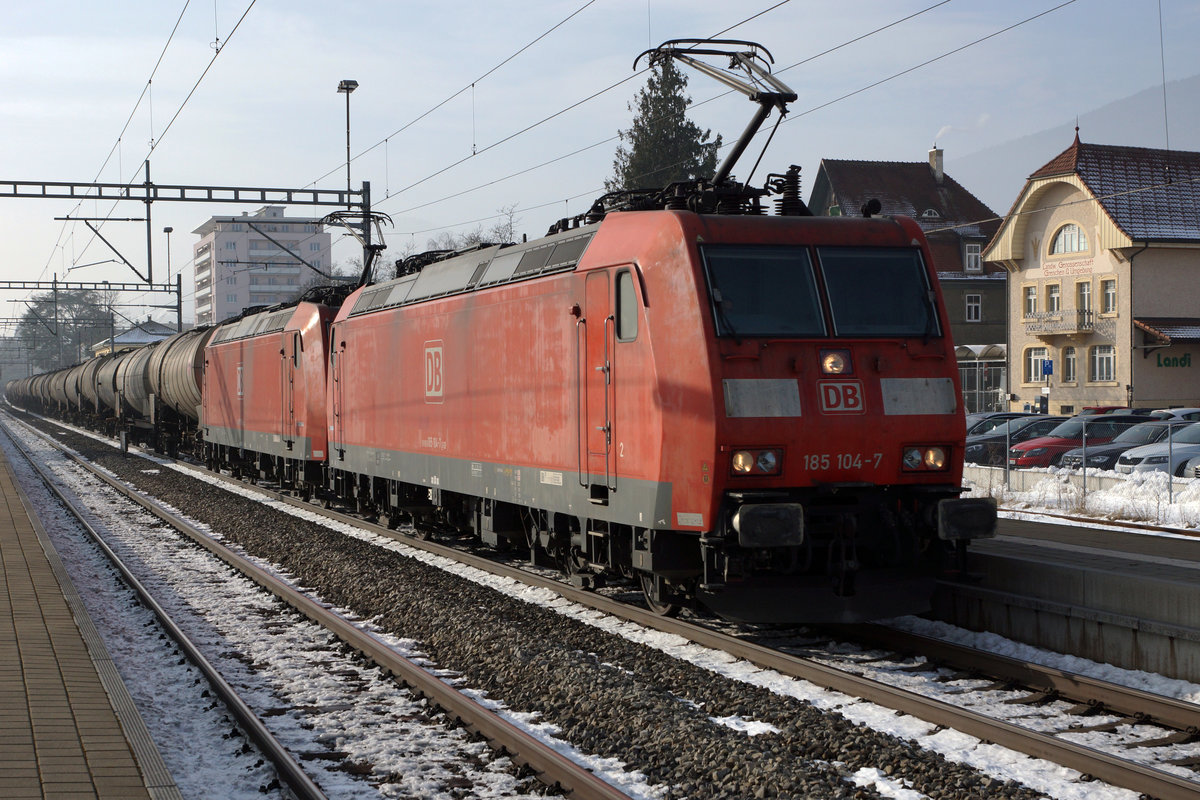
<point>69,727</point>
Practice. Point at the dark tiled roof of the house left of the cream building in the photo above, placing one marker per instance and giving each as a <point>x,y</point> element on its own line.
<point>911,190</point>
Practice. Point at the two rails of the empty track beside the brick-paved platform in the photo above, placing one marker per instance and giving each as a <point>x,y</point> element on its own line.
<point>555,771</point>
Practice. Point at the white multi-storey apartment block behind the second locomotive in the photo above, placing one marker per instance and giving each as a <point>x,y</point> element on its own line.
<point>256,260</point>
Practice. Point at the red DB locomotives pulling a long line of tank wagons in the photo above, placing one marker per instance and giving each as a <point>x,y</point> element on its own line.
<point>755,414</point>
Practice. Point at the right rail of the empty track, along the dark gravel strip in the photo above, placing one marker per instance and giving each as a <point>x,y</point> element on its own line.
<point>550,766</point>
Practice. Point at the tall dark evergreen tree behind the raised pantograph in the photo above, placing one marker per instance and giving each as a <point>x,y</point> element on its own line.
<point>663,146</point>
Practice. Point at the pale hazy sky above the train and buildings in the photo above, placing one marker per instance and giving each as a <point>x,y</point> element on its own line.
<point>267,112</point>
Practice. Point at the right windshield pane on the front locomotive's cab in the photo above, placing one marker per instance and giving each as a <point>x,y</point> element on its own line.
<point>878,292</point>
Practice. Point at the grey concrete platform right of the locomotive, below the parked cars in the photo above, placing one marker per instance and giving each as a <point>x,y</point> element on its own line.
<point>1130,599</point>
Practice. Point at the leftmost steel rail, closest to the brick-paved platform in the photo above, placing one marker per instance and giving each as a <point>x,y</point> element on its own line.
<point>285,765</point>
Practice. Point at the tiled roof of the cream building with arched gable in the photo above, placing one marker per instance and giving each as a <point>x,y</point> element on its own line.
<point>1150,195</point>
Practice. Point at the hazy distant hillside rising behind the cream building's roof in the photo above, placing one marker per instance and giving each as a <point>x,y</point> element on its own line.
<point>997,175</point>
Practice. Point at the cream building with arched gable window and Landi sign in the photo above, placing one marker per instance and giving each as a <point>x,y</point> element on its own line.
<point>1103,254</point>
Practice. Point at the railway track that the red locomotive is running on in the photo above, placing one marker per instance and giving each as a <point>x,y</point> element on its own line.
<point>1043,685</point>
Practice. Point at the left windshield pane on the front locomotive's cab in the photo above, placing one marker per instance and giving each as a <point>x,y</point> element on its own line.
<point>764,291</point>
